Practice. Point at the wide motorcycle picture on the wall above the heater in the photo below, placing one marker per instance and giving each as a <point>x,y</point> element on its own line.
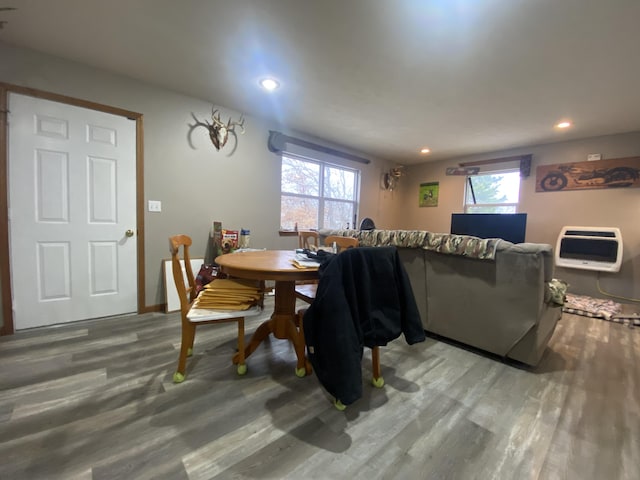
<point>613,173</point>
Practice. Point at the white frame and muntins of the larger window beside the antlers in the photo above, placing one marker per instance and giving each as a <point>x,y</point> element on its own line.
<point>322,198</point>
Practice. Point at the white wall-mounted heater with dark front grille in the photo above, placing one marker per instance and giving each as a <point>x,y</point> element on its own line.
<point>590,248</point>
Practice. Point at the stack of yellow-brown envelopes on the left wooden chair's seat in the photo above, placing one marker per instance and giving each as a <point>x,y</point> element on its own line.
<point>229,294</point>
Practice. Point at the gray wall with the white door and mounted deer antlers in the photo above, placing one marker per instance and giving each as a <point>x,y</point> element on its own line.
<point>196,186</point>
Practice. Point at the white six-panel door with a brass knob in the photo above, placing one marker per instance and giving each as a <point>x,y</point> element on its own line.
<point>72,198</point>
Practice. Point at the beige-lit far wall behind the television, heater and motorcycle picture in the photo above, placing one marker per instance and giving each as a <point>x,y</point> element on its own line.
<point>548,212</point>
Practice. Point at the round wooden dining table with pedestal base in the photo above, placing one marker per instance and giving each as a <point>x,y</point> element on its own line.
<point>276,265</point>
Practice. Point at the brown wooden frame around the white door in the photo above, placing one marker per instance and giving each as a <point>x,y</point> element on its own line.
<point>8,326</point>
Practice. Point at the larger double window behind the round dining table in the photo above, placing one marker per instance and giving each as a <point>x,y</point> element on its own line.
<point>316,194</point>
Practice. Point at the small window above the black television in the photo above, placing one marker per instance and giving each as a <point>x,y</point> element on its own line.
<point>494,192</point>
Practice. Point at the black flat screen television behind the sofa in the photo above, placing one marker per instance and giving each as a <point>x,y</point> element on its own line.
<point>508,226</point>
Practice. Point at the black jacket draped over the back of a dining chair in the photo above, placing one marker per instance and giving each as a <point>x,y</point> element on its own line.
<point>364,298</point>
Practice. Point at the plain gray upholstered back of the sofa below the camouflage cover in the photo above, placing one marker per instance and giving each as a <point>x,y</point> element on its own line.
<point>490,305</point>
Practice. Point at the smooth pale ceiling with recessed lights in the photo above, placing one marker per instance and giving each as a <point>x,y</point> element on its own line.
<point>385,77</point>
